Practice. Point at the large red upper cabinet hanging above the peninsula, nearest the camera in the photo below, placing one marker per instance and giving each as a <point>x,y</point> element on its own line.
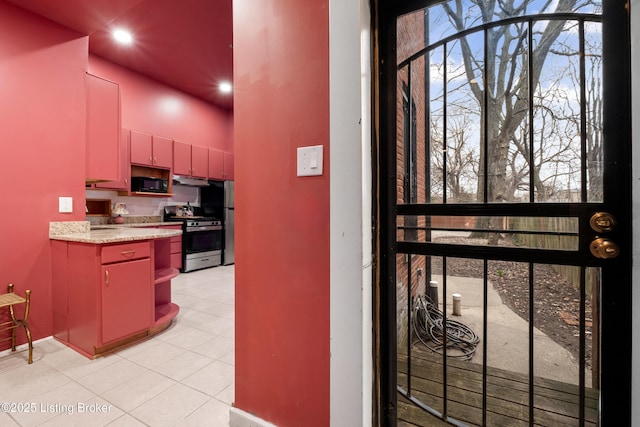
<point>103,130</point>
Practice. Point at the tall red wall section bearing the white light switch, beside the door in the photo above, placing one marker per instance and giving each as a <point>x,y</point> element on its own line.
<point>281,102</point>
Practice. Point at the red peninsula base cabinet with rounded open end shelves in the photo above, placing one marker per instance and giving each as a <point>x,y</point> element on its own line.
<point>110,295</point>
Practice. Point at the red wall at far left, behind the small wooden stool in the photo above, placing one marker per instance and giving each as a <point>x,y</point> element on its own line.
<point>42,152</point>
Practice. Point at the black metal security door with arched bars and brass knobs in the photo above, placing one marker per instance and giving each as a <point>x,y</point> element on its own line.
<point>505,276</point>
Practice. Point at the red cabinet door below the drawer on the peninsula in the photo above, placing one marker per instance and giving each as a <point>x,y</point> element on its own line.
<point>126,299</point>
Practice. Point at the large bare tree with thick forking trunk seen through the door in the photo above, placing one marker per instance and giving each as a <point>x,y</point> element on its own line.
<point>507,80</point>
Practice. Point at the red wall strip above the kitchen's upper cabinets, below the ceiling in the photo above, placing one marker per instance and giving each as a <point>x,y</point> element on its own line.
<point>155,108</point>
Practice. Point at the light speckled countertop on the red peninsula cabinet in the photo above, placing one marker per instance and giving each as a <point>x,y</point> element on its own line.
<point>80,231</point>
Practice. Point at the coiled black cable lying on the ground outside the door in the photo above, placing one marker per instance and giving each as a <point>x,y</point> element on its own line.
<point>428,323</point>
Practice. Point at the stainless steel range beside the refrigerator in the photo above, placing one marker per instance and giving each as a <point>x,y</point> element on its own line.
<point>201,239</point>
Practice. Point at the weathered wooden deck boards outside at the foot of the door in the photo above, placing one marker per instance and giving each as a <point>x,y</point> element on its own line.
<point>555,403</point>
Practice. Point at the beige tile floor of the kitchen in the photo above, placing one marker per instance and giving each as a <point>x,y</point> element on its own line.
<point>181,377</point>
